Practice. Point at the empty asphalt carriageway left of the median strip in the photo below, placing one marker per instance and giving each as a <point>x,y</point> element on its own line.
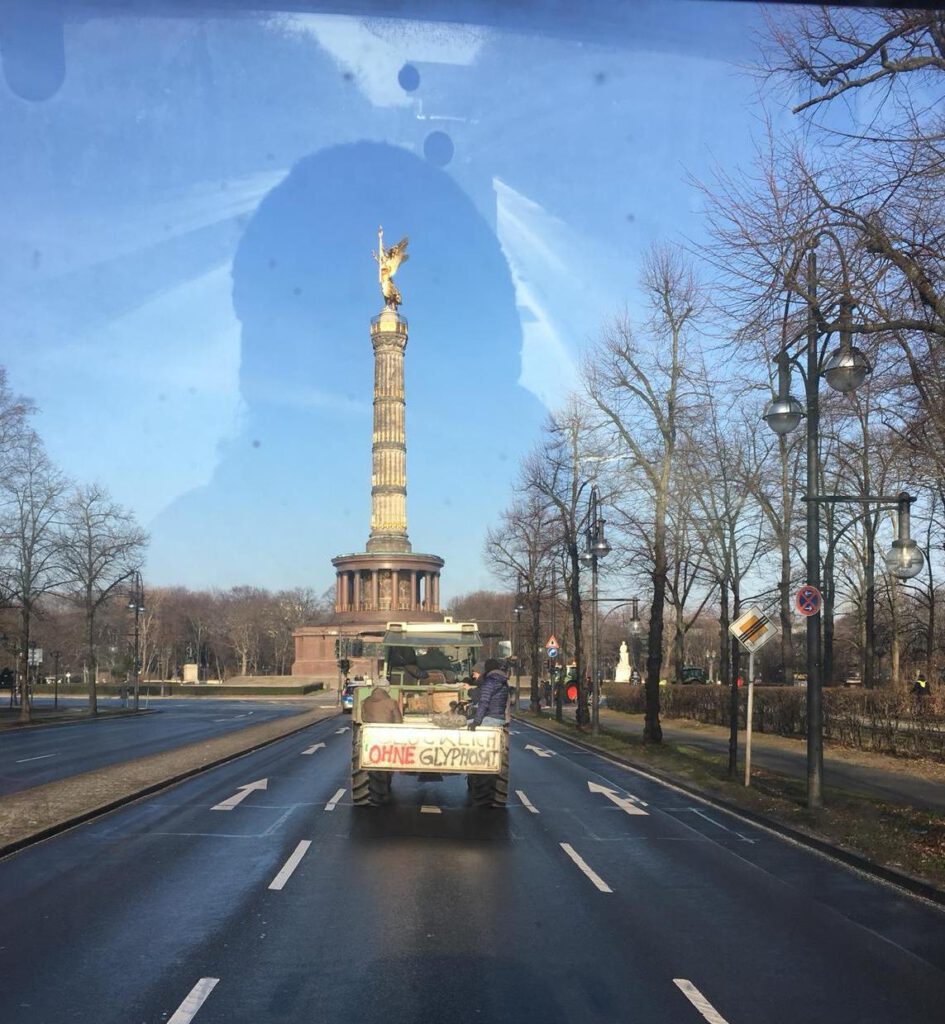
<point>32,757</point>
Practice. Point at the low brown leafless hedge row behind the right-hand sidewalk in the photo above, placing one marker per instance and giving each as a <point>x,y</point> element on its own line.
<point>869,720</point>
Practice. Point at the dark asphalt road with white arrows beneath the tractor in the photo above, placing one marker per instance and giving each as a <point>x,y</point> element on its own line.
<point>564,909</point>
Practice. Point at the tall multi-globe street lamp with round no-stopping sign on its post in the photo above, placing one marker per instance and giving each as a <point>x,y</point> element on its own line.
<point>845,370</point>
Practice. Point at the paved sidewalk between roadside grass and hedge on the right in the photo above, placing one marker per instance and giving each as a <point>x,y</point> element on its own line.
<point>917,784</point>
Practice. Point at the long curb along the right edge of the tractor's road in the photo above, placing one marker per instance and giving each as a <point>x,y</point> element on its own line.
<point>916,887</point>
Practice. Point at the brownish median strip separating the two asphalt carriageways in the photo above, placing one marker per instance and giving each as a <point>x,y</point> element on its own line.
<point>31,816</point>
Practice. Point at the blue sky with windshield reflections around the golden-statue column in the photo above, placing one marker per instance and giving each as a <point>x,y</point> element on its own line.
<point>186,273</point>
